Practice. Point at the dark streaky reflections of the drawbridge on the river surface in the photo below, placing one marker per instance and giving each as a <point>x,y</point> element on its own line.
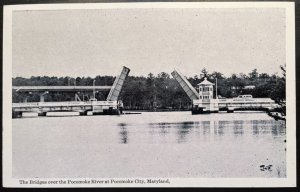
<point>191,131</point>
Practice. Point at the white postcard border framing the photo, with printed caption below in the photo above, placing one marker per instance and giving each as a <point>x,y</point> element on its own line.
<point>289,181</point>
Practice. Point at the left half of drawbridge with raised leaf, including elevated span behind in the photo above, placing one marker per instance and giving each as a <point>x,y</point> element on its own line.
<point>110,106</point>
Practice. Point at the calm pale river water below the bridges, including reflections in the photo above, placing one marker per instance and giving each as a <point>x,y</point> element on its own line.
<point>161,144</point>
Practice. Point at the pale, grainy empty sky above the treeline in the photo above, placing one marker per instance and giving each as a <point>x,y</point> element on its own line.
<point>99,42</point>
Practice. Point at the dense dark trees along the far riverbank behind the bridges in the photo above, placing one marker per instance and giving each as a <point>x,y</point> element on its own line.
<point>161,91</point>
